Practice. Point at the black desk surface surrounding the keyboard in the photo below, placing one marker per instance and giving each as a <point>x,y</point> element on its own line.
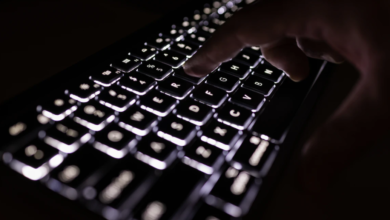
<point>41,38</point>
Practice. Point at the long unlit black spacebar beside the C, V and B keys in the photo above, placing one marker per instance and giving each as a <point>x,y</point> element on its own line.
<point>279,113</point>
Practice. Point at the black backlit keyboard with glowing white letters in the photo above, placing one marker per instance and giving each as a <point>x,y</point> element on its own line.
<point>134,137</point>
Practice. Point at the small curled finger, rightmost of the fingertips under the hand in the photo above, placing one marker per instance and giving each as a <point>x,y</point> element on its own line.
<point>319,50</point>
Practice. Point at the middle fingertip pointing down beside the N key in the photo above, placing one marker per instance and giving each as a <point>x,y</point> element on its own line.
<point>285,55</point>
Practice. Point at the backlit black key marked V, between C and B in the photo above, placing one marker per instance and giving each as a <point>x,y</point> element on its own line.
<point>248,99</point>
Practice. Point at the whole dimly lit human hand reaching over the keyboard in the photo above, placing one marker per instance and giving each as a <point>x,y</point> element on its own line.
<point>289,31</point>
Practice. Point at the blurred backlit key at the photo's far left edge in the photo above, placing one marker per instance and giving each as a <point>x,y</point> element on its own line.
<point>17,131</point>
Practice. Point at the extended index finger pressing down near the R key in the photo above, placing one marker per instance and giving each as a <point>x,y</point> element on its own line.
<point>256,25</point>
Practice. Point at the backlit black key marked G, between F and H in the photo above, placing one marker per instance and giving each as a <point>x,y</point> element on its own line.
<point>223,81</point>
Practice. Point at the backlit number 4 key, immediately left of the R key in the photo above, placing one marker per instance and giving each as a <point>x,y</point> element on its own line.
<point>137,83</point>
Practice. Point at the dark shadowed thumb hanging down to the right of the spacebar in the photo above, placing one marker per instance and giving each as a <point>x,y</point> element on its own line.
<point>360,120</point>
